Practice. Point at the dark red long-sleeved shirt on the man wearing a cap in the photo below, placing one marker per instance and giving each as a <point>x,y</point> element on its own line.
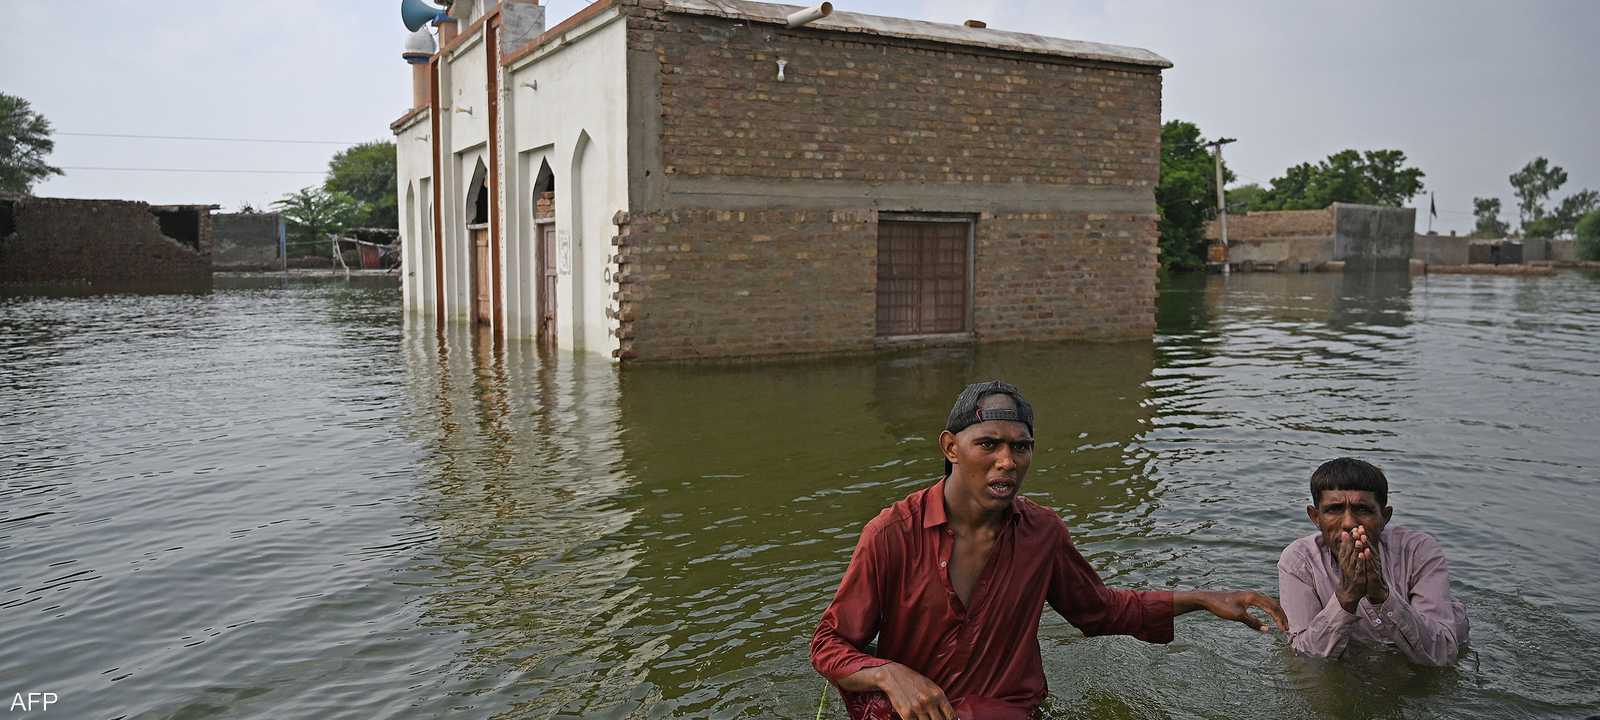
<point>898,590</point>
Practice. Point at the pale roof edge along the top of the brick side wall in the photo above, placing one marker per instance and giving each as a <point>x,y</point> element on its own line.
<point>910,30</point>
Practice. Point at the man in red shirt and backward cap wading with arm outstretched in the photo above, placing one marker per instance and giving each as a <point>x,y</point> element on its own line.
<point>953,582</point>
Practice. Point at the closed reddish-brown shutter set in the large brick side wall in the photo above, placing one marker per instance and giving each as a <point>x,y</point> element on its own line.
<point>922,278</point>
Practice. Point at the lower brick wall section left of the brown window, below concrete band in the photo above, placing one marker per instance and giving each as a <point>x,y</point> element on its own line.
<point>702,284</point>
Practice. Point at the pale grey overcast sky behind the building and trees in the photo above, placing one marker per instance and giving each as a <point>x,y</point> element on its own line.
<point>1470,90</point>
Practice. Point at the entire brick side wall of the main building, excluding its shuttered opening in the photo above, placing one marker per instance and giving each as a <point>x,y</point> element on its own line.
<point>756,202</point>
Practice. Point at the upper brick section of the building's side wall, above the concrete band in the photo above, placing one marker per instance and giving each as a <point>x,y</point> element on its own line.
<point>882,110</point>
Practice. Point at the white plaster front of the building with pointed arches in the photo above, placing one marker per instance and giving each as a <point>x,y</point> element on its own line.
<point>561,106</point>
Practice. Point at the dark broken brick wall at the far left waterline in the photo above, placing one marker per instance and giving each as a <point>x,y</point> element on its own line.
<point>100,244</point>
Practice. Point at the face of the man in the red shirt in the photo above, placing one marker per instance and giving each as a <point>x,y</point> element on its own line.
<point>991,458</point>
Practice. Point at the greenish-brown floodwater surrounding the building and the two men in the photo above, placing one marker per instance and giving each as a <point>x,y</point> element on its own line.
<point>282,500</point>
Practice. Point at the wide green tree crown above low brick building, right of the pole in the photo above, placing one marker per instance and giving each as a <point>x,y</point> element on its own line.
<point>1346,177</point>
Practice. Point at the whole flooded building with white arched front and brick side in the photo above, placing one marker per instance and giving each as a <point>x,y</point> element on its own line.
<point>668,180</point>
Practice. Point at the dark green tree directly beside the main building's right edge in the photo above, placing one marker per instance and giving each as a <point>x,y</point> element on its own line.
<point>1186,196</point>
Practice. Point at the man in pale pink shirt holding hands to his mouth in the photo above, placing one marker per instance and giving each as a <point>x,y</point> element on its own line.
<point>1359,580</point>
